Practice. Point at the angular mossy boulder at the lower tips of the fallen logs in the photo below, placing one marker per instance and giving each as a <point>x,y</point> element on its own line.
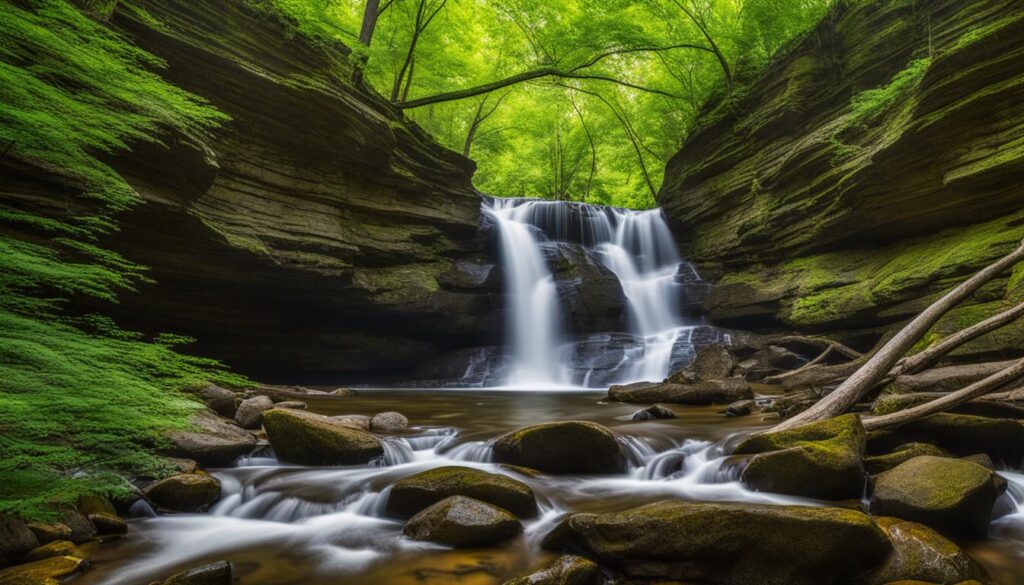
<point>819,461</point>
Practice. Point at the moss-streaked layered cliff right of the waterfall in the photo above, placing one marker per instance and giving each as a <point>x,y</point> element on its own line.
<point>874,166</point>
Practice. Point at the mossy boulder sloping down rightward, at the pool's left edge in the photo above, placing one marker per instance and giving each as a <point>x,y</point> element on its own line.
<point>308,439</point>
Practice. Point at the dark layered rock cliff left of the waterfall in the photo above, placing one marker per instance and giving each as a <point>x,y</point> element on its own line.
<point>315,231</point>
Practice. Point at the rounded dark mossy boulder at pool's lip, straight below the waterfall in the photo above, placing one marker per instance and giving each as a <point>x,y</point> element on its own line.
<point>571,447</point>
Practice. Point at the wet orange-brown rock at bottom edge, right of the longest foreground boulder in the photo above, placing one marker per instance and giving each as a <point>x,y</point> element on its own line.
<point>923,555</point>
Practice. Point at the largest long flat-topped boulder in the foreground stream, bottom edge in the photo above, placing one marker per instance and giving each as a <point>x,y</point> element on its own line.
<point>729,544</point>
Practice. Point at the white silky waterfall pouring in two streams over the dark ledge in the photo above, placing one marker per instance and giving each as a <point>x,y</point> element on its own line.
<point>636,246</point>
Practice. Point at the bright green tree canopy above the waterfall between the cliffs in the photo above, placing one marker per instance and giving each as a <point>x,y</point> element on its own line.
<point>573,100</point>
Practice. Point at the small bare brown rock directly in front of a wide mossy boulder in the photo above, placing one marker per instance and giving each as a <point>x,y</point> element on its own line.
<point>463,523</point>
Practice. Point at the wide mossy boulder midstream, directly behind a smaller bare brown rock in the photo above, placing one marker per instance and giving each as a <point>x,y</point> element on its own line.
<point>412,494</point>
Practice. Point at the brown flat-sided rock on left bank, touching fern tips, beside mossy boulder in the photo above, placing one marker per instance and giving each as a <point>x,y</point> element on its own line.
<point>218,442</point>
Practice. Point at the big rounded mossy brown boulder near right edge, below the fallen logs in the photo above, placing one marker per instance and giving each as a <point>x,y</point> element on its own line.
<point>953,496</point>
